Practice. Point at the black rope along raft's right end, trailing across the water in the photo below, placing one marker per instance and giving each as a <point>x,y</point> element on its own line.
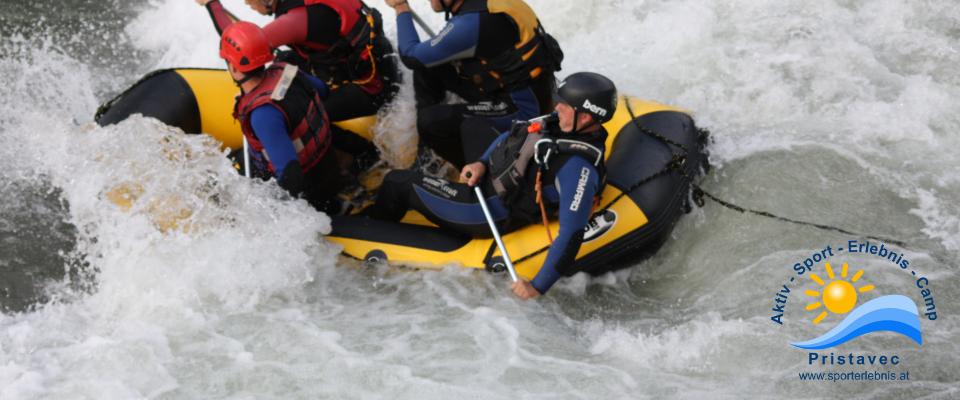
<point>678,162</point>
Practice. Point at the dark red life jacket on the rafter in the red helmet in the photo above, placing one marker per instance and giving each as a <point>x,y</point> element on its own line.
<point>286,89</point>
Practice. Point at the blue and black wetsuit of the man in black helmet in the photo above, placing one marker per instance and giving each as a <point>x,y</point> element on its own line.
<point>569,190</point>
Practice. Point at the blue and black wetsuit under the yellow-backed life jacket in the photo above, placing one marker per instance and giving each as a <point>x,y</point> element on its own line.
<point>466,36</point>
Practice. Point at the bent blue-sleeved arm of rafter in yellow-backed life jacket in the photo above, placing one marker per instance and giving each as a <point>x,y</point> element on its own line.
<point>458,40</point>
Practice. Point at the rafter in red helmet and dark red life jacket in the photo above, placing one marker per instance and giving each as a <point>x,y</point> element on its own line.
<point>282,117</point>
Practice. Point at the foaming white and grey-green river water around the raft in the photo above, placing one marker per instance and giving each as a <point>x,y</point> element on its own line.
<point>840,112</point>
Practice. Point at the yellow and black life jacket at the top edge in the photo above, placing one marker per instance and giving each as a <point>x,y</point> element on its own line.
<point>534,54</point>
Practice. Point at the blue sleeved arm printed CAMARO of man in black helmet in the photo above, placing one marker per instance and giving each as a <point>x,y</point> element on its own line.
<point>578,181</point>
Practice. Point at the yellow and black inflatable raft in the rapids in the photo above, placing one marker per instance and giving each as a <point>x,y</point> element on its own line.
<point>654,151</point>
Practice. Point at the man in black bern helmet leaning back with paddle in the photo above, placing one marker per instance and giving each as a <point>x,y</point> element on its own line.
<point>562,154</point>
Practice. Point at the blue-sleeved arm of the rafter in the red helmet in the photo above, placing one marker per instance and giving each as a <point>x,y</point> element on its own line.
<point>270,127</point>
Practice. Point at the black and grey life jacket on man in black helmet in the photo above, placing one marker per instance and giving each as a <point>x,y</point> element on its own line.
<point>514,163</point>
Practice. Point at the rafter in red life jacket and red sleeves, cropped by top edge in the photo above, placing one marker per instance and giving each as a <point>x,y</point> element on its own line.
<point>342,43</point>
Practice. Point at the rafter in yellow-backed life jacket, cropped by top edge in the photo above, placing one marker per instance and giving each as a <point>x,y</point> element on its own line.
<point>480,33</point>
